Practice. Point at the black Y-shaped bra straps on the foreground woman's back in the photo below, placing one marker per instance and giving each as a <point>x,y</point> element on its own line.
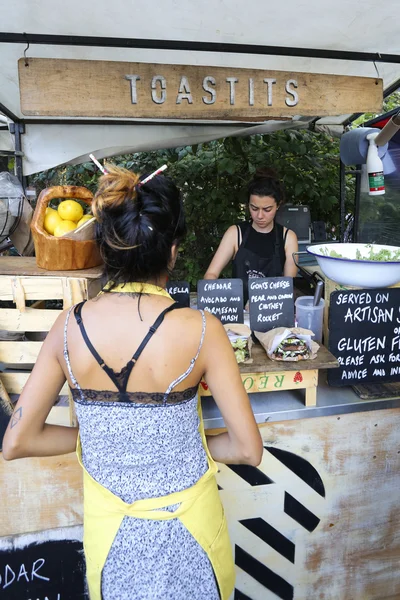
<point>121,387</point>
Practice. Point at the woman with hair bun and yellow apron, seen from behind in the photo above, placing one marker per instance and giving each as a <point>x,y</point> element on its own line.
<point>154,526</point>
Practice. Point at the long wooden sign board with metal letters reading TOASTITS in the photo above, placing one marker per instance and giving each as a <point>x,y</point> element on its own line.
<point>93,88</point>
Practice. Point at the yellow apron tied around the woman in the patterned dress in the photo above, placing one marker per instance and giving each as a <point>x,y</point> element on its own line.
<point>200,511</point>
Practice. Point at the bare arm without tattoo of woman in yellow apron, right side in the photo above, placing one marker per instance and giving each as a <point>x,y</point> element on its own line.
<point>241,443</point>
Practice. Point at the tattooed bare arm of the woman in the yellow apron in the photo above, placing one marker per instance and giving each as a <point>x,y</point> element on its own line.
<point>27,433</point>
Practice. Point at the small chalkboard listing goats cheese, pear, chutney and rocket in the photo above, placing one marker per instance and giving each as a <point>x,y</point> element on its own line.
<point>271,303</point>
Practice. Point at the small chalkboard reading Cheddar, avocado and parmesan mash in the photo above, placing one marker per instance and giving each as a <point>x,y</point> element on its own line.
<point>222,297</point>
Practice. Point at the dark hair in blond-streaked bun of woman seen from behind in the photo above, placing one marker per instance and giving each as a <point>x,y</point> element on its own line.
<point>136,225</point>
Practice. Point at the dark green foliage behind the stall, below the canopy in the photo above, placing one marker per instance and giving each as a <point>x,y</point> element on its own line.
<point>213,179</point>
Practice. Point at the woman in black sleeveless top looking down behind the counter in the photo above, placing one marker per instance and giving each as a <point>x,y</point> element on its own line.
<point>259,247</point>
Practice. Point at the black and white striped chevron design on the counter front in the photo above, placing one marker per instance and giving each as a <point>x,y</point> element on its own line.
<point>265,507</point>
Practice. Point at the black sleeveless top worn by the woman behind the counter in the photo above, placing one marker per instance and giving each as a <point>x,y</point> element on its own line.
<point>247,263</point>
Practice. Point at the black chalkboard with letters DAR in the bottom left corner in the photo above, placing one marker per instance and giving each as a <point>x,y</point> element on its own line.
<point>52,569</point>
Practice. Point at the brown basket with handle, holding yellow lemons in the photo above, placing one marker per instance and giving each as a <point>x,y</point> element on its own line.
<point>62,254</point>
